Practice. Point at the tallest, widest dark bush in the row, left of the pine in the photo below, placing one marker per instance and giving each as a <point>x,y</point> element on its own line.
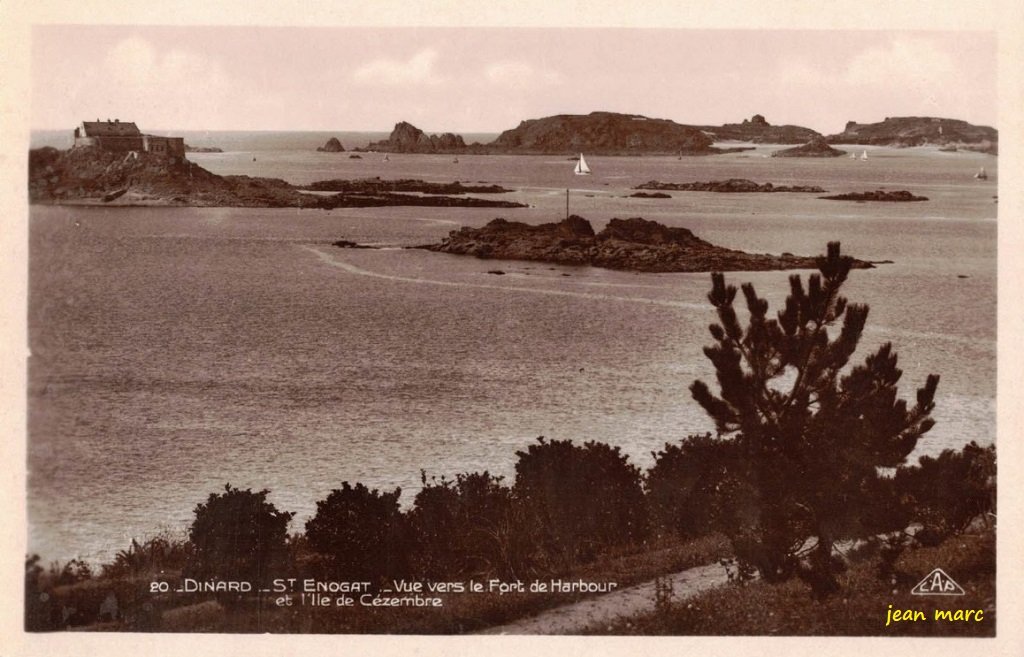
<point>579,501</point>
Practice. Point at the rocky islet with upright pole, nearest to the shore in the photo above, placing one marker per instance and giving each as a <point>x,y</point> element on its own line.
<point>633,245</point>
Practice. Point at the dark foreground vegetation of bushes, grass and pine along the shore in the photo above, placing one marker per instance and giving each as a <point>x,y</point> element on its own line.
<point>806,459</point>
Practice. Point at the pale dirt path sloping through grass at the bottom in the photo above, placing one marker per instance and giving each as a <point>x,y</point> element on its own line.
<point>573,619</point>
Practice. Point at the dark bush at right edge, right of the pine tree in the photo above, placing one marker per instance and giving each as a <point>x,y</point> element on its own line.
<point>946,494</point>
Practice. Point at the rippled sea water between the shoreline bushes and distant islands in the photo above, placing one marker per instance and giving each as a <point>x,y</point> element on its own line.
<point>179,349</point>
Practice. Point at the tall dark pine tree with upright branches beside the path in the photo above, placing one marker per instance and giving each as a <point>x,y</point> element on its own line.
<point>810,439</point>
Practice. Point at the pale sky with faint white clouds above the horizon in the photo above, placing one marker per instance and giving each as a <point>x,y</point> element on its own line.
<point>470,80</point>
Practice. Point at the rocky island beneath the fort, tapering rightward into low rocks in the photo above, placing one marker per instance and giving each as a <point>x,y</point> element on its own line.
<point>95,176</point>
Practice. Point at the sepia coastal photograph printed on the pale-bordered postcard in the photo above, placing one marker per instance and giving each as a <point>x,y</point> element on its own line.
<point>513,330</point>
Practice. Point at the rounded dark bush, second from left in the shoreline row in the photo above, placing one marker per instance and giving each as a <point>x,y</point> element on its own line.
<point>361,533</point>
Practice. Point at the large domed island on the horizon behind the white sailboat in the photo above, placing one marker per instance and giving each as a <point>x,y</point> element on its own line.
<point>605,134</point>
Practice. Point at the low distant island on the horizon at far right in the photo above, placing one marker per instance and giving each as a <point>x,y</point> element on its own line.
<point>917,132</point>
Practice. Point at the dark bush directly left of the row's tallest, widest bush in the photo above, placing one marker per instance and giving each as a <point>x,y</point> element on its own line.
<point>464,528</point>
